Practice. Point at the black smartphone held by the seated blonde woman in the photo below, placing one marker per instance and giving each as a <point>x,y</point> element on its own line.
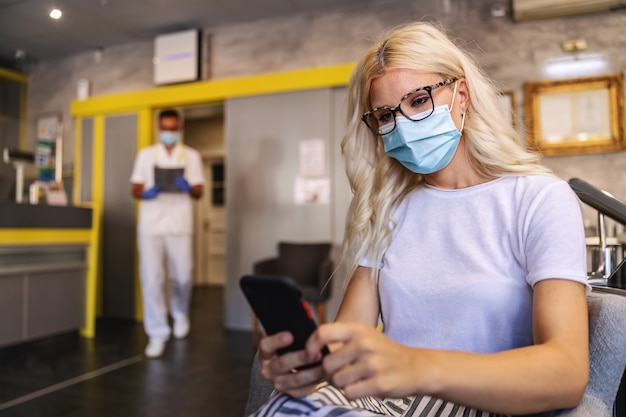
<point>277,302</point>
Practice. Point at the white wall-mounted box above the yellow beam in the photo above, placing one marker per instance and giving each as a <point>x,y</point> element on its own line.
<point>177,57</point>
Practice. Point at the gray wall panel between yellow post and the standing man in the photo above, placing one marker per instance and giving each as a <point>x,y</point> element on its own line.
<point>118,222</point>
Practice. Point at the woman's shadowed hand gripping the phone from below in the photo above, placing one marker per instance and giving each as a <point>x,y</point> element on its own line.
<point>280,370</point>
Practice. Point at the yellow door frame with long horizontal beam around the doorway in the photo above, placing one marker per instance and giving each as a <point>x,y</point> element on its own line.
<point>143,103</point>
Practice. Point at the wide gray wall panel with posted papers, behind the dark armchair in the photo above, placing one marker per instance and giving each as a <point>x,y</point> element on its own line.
<point>263,136</point>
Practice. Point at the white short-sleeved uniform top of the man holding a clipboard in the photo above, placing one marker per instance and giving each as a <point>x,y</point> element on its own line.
<point>168,213</point>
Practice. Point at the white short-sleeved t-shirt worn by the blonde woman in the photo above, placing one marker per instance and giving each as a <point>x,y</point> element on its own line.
<point>460,270</point>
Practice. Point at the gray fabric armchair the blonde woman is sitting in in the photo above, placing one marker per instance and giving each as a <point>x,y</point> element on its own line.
<point>607,351</point>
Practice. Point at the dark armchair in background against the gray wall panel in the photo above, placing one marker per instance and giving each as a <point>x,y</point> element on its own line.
<point>308,264</point>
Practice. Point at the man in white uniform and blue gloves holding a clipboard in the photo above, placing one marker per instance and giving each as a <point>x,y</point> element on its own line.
<point>166,177</point>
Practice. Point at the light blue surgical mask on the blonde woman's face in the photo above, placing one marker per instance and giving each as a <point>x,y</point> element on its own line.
<point>426,146</point>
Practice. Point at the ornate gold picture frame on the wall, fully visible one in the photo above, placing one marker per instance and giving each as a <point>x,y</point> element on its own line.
<point>583,115</point>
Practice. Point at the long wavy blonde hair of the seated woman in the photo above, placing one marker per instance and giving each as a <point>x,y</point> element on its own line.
<point>379,182</point>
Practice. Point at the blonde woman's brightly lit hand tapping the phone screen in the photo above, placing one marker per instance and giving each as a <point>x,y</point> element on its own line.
<point>367,362</point>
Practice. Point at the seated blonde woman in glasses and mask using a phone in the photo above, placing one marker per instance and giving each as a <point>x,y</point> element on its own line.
<point>470,252</point>
